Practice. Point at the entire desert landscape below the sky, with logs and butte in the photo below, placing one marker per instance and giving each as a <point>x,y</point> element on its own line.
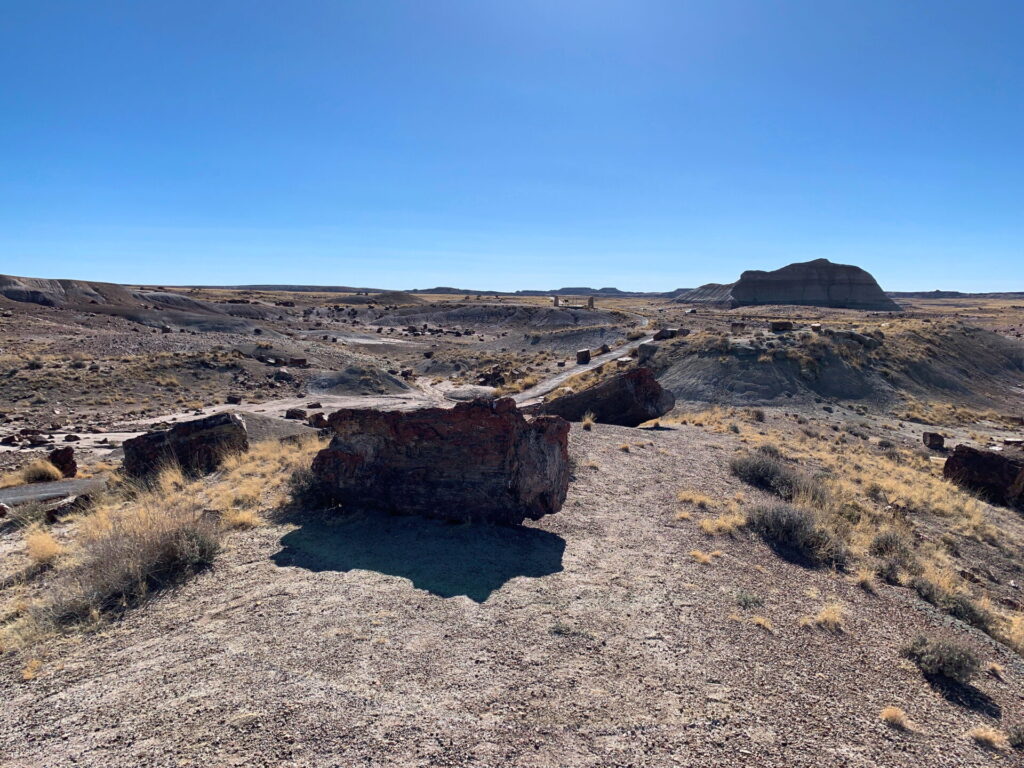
<point>273,526</point>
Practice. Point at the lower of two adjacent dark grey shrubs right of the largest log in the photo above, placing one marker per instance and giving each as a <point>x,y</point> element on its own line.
<point>797,535</point>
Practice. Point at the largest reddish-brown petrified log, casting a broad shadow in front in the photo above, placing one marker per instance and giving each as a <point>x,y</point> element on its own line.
<point>478,461</point>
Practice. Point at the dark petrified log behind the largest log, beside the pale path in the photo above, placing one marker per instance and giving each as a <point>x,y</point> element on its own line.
<point>628,400</point>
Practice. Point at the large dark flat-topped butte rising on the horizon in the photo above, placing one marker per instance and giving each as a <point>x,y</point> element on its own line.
<point>819,283</point>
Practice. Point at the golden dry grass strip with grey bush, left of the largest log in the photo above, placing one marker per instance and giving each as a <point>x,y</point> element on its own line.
<point>145,539</point>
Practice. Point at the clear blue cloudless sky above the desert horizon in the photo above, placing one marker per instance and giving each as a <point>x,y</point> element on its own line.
<point>648,145</point>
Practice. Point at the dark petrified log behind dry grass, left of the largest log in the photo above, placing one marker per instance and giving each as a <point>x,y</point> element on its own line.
<point>198,447</point>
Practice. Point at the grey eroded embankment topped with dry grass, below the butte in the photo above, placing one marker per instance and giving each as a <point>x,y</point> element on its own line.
<point>943,362</point>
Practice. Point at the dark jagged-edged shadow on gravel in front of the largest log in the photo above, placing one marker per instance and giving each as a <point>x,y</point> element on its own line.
<point>437,557</point>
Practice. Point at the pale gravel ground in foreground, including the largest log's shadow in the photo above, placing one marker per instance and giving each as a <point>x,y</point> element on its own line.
<point>590,638</point>
